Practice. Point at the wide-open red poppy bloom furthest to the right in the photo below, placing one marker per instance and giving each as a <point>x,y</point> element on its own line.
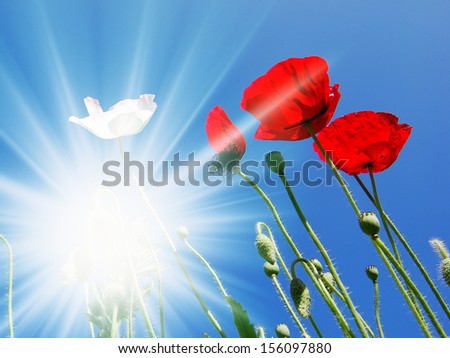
<point>364,139</point>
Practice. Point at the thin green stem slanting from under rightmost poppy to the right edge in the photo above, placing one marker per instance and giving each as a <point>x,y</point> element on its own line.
<point>408,248</point>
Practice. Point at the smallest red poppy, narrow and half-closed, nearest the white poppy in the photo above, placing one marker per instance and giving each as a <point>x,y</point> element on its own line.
<point>223,136</point>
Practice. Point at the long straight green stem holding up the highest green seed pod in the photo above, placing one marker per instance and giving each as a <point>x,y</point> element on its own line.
<point>325,256</point>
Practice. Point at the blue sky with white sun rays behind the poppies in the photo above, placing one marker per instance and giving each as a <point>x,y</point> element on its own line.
<point>194,55</point>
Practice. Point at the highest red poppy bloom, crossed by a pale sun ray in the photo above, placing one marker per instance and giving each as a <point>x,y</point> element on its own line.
<point>291,93</point>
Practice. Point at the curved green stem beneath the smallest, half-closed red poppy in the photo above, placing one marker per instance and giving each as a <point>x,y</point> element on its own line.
<point>319,285</point>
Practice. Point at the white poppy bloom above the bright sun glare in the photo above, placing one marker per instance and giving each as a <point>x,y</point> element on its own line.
<point>126,117</point>
